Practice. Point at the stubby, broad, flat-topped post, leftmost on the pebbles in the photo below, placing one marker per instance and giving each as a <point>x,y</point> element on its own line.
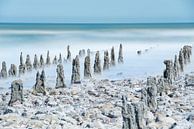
<point>16,92</point>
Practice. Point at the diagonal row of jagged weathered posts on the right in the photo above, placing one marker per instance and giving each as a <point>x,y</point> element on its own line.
<point>134,113</point>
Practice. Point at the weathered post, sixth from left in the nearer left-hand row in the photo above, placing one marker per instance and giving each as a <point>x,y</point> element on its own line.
<point>97,63</point>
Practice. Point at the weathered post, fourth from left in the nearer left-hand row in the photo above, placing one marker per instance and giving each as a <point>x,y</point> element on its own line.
<point>75,77</point>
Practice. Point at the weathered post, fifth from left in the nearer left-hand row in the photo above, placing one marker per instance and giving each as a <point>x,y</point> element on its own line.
<point>87,67</point>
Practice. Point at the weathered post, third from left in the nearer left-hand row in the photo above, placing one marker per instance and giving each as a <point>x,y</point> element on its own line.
<point>60,81</point>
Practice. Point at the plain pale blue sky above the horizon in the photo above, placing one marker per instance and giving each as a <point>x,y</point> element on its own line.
<point>96,11</point>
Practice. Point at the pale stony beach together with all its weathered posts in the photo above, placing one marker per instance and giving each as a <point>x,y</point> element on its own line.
<point>165,101</point>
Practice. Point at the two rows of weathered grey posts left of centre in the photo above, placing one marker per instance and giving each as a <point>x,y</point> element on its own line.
<point>40,87</point>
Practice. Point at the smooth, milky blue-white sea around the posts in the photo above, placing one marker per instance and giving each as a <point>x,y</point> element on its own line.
<point>157,42</point>
